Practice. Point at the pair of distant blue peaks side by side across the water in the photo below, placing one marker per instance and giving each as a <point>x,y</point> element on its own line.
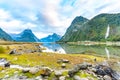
<point>28,36</point>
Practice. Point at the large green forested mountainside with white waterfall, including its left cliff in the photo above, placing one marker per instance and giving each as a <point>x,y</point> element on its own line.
<point>103,27</point>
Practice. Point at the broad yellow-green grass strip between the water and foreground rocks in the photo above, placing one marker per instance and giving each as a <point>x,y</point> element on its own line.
<point>49,59</point>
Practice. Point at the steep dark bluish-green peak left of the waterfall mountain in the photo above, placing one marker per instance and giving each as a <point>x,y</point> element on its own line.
<point>71,32</point>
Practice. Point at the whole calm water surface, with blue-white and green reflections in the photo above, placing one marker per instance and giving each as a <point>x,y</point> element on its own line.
<point>108,52</point>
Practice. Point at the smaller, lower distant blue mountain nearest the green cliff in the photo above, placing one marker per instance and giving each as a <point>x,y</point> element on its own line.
<point>51,38</point>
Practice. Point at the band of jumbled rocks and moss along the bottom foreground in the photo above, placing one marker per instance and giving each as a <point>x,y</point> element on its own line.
<point>82,71</point>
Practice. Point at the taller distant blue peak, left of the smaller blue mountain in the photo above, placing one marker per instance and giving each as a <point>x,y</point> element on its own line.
<point>25,36</point>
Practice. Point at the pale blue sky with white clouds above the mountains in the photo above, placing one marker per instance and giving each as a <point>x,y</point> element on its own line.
<point>50,16</point>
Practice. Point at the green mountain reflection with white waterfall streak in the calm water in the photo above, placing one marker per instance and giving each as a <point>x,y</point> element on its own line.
<point>99,50</point>
